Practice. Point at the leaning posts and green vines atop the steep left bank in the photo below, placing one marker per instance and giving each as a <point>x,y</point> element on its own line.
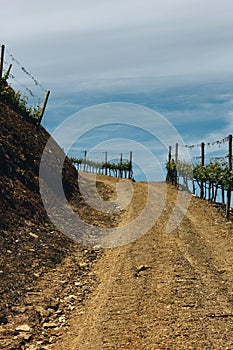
<point>10,98</point>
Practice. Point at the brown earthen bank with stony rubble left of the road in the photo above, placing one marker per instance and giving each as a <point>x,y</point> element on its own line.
<point>32,249</point>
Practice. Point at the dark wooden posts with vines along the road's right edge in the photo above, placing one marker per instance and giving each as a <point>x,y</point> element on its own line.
<point>174,174</point>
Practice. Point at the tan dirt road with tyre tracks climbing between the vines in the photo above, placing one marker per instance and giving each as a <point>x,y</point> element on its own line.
<point>163,291</point>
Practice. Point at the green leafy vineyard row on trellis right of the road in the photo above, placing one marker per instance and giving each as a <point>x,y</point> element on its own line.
<point>207,180</point>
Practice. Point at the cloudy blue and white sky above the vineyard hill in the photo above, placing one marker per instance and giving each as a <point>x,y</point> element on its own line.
<point>172,56</point>
